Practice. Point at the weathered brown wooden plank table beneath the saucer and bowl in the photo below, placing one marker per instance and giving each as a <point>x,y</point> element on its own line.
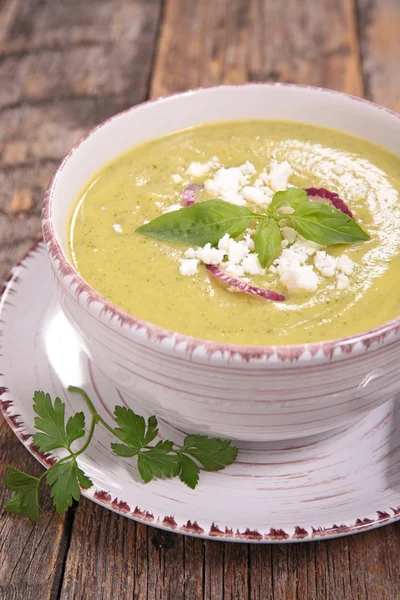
<point>67,65</point>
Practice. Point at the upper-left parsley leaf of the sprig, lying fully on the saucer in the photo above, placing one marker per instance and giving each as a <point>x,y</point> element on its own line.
<point>51,424</point>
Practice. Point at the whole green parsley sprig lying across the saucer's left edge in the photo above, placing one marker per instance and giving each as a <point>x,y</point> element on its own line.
<point>136,437</point>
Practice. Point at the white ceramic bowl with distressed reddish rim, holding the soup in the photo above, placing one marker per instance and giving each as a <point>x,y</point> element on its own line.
<point>239,392</point>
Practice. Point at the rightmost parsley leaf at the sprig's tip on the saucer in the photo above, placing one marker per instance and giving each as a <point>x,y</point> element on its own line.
<point>212,453</point>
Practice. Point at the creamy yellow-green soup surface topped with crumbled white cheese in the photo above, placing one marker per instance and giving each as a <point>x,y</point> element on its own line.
<point>345,288</point>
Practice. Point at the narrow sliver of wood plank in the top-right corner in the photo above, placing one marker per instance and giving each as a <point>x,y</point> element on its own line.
<point>379,26</point>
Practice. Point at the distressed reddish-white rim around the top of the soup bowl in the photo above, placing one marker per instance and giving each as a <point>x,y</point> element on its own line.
<point>117,317</point>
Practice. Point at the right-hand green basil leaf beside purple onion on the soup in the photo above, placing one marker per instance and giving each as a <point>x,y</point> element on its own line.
<point>325,225</point>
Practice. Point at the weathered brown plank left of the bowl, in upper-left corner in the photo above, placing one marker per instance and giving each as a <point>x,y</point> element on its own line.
<point>64,67</point>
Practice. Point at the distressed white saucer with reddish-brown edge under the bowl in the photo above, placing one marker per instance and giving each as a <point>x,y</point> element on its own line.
<point>340,483</point>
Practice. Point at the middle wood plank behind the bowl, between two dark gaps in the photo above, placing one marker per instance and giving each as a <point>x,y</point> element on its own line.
<point>210,42</point>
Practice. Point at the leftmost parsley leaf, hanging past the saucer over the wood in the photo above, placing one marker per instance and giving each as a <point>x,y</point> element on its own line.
<point>26,499</point>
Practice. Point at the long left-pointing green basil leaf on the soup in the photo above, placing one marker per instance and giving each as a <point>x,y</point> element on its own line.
<point>199,224</point>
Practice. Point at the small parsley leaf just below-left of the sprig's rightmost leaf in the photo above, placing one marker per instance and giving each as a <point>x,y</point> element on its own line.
<point>158,462</point>
